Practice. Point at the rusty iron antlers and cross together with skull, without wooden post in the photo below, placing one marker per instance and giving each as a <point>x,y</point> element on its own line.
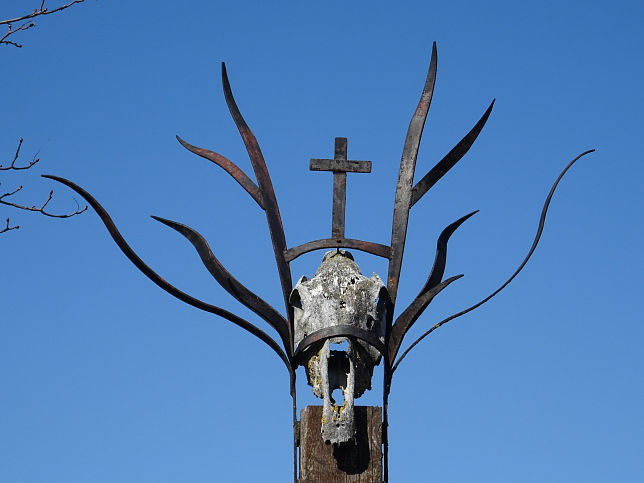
<point>303,338</point>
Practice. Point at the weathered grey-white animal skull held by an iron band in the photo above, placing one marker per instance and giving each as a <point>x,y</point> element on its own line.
<point>339,296</point>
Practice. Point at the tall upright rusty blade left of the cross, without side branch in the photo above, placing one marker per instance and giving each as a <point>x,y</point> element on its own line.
<point>268,194</point>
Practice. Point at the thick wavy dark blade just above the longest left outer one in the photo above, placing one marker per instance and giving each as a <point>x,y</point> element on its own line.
<point>229,283</point>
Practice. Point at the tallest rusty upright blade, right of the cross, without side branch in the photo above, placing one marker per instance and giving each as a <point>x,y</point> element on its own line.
<point>406,178</point>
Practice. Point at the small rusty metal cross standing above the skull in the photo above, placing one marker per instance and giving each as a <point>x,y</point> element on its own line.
<point>340,167</point>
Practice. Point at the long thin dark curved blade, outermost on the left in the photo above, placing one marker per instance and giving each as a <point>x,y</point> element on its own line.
<point>171,289</point>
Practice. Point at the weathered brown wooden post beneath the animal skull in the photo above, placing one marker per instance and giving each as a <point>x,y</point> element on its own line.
<point>350,463</point>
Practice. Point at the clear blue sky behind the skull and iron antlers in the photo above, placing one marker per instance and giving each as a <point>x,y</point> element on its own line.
<point>105,378</point>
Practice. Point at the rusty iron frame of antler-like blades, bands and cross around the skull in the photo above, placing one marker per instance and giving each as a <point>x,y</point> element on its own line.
<point>407,194</point>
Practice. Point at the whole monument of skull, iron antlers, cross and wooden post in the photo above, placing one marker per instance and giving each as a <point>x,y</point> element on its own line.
<point>339,324</point>
